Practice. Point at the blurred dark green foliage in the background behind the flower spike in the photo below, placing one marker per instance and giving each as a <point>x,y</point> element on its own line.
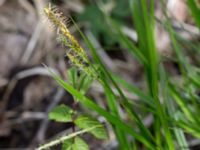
<point>96,20</point>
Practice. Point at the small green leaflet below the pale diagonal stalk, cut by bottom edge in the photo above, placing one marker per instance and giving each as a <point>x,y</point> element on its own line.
<point>80,144</point>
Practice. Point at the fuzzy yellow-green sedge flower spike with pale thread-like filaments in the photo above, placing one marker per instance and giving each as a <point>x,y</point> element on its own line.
<point>75,52</point>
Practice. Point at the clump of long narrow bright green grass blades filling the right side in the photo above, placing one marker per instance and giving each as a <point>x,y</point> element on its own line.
<point>173,118</point>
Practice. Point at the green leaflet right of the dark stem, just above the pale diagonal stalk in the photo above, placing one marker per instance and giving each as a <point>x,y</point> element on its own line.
<point>85,122</point>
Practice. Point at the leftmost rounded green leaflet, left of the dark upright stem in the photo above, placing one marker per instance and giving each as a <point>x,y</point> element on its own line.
<point>61,113</point>
